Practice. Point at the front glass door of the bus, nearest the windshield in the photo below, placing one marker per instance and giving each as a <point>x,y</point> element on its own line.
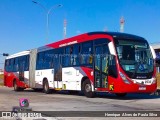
<point>101,66</point>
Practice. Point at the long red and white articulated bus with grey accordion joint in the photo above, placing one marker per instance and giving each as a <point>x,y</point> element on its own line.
<point>93,62</point>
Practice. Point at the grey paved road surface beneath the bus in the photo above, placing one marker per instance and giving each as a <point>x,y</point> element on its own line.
<point>68,102</point>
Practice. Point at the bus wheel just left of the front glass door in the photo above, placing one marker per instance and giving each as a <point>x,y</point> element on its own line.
<point>87,89</point>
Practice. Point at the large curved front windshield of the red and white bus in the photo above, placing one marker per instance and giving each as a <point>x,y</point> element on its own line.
<point>135,57</point>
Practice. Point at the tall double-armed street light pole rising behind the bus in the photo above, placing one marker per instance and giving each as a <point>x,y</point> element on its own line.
<point>48,11</point>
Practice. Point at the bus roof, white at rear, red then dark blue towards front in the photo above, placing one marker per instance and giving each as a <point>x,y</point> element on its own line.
<point>78,39</point>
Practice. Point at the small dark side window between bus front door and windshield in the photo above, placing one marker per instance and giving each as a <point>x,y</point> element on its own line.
<point>112,69</point>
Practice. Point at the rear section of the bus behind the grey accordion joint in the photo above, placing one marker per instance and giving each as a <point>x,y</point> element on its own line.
<point>16,70</point>
